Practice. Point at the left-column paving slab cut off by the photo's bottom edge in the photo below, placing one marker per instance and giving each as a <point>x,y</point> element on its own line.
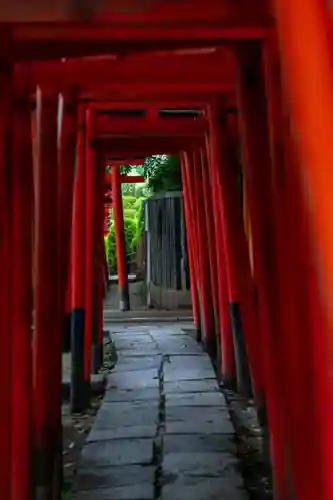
<point>143,491</point>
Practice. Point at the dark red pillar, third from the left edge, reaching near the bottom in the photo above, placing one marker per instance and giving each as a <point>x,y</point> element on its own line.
<point>47,347</point>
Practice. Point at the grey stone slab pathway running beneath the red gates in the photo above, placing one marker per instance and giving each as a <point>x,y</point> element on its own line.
<point>163,430</point>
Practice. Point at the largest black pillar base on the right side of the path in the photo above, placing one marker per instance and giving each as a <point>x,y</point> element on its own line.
<point>242,367</point>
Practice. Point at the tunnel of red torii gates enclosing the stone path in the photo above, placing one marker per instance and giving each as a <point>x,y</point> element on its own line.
<point>243,92</point>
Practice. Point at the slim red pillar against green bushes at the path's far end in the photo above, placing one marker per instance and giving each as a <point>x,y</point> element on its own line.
<point>124,301</point>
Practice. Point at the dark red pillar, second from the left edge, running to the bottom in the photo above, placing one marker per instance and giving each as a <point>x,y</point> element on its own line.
<point>22,302</point>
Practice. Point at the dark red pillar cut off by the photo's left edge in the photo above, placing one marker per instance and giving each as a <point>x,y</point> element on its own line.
<point>5,282</point>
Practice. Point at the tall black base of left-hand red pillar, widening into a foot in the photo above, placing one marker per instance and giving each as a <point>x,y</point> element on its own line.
<point>80,388</point>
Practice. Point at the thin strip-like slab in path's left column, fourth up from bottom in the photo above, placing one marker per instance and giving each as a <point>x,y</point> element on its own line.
<point>121,432</point>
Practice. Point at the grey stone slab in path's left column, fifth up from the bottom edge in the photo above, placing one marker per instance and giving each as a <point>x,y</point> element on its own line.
<point>127,414</point>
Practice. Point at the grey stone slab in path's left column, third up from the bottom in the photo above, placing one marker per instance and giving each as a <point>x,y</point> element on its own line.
<point>117,452</point>
